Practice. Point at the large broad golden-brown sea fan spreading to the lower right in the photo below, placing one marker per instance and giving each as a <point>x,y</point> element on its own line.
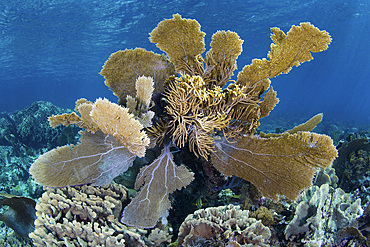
<point>282,165</point>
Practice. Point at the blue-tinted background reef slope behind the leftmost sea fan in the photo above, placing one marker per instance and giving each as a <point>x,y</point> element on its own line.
<point>24,135</point>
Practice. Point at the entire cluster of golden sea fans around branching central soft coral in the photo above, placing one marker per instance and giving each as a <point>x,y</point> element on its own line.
<point>201,109</point>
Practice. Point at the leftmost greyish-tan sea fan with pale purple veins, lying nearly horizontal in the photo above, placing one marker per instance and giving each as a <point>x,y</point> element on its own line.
<point>97,159</point>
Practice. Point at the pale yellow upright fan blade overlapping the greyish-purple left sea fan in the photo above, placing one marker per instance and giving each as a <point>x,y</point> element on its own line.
<point>115,120</point>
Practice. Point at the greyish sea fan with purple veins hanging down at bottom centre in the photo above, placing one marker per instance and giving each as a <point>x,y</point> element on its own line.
<point>157,181</point>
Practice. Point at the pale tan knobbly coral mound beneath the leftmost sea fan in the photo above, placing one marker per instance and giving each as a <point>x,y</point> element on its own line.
<point>88,216</point>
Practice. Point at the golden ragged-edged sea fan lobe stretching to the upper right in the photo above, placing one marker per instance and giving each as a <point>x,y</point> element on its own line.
<point>286,51</point>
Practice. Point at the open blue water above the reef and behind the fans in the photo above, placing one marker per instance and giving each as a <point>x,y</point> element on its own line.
<point>53,50</point>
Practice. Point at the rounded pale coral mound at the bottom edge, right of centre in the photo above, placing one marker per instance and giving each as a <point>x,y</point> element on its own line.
<point>221,226</point>
